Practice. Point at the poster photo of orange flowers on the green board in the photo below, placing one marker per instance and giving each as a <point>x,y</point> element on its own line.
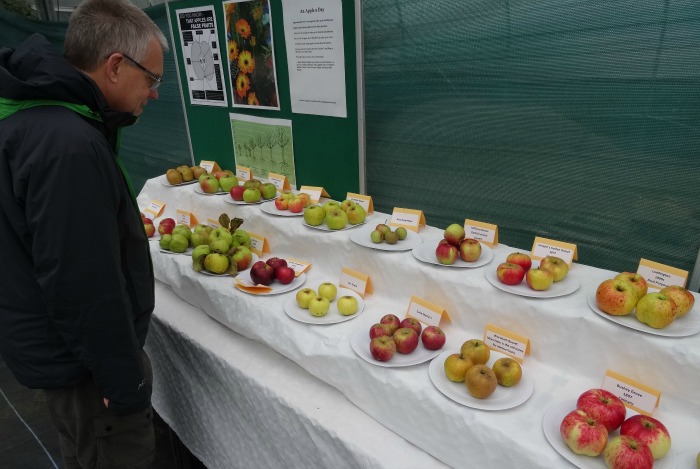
<point>250,54</point>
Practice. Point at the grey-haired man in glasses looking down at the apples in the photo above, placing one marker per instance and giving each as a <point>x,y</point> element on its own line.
<point>75,265</point>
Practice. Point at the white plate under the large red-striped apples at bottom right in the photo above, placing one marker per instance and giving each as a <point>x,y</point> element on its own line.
<point>550,426</point>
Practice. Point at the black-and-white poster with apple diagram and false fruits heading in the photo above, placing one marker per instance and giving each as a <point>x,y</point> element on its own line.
<point>202,56</point>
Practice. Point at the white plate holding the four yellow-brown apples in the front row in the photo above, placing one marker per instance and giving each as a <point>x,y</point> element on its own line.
<point>502,398</point>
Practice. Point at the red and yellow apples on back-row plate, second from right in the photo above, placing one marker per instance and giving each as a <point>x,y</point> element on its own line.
<point>518,266</point>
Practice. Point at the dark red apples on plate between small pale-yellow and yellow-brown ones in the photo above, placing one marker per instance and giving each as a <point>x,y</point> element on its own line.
<point>393,335</point>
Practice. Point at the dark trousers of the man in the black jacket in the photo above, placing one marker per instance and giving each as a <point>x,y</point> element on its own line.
<point>92,438</point>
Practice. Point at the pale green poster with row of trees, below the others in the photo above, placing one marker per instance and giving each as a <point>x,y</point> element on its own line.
<point>264,145</point>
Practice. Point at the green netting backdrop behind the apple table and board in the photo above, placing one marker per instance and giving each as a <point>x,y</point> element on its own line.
<point>573,120</point>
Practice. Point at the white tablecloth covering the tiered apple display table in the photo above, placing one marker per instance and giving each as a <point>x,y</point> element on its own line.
<point>571,349</point>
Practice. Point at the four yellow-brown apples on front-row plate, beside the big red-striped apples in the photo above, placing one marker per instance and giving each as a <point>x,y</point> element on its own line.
<point>469,366</point>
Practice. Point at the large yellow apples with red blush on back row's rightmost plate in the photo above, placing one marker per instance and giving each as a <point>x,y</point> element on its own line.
<point>628,291</point>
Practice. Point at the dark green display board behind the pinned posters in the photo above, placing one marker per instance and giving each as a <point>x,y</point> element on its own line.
<point>326,149</point>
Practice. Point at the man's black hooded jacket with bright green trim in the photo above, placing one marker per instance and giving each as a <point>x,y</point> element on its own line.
<point>76,279</point>
